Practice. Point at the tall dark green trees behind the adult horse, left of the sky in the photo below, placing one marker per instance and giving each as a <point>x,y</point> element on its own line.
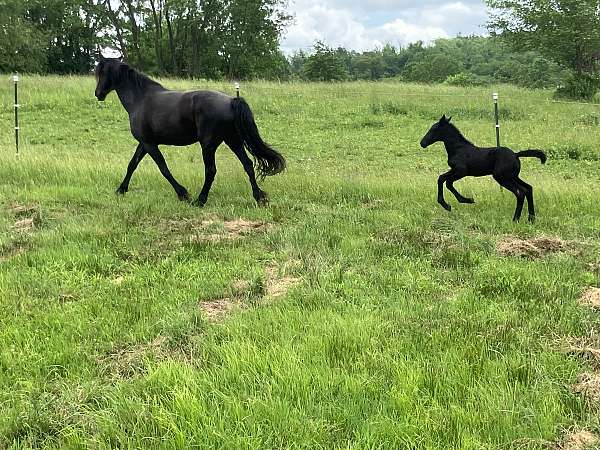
<point>189,38</point>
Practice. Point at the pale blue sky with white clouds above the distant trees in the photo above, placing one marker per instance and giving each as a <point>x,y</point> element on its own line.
<point>367,24</point>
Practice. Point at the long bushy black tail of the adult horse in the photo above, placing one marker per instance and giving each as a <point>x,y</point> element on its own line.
<point>268,161</point>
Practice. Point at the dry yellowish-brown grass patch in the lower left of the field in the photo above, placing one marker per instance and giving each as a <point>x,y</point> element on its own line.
<point>130,360</point>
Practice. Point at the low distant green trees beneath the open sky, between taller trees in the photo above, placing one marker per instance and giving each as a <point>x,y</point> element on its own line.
<point>464,61</point>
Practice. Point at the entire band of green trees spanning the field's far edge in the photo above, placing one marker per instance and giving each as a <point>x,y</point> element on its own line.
<point>534,43</point>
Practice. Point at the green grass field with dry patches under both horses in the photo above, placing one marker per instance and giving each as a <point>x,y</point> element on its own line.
<point>353,312</point>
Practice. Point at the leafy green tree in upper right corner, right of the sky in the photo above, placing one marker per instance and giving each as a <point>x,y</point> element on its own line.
<point>566,31</point>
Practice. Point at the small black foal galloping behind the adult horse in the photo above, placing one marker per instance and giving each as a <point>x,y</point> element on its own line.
<point>465,159</point>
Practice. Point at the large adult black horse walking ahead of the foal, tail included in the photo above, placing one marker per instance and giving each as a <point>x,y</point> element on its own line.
<point>159,116</point>
